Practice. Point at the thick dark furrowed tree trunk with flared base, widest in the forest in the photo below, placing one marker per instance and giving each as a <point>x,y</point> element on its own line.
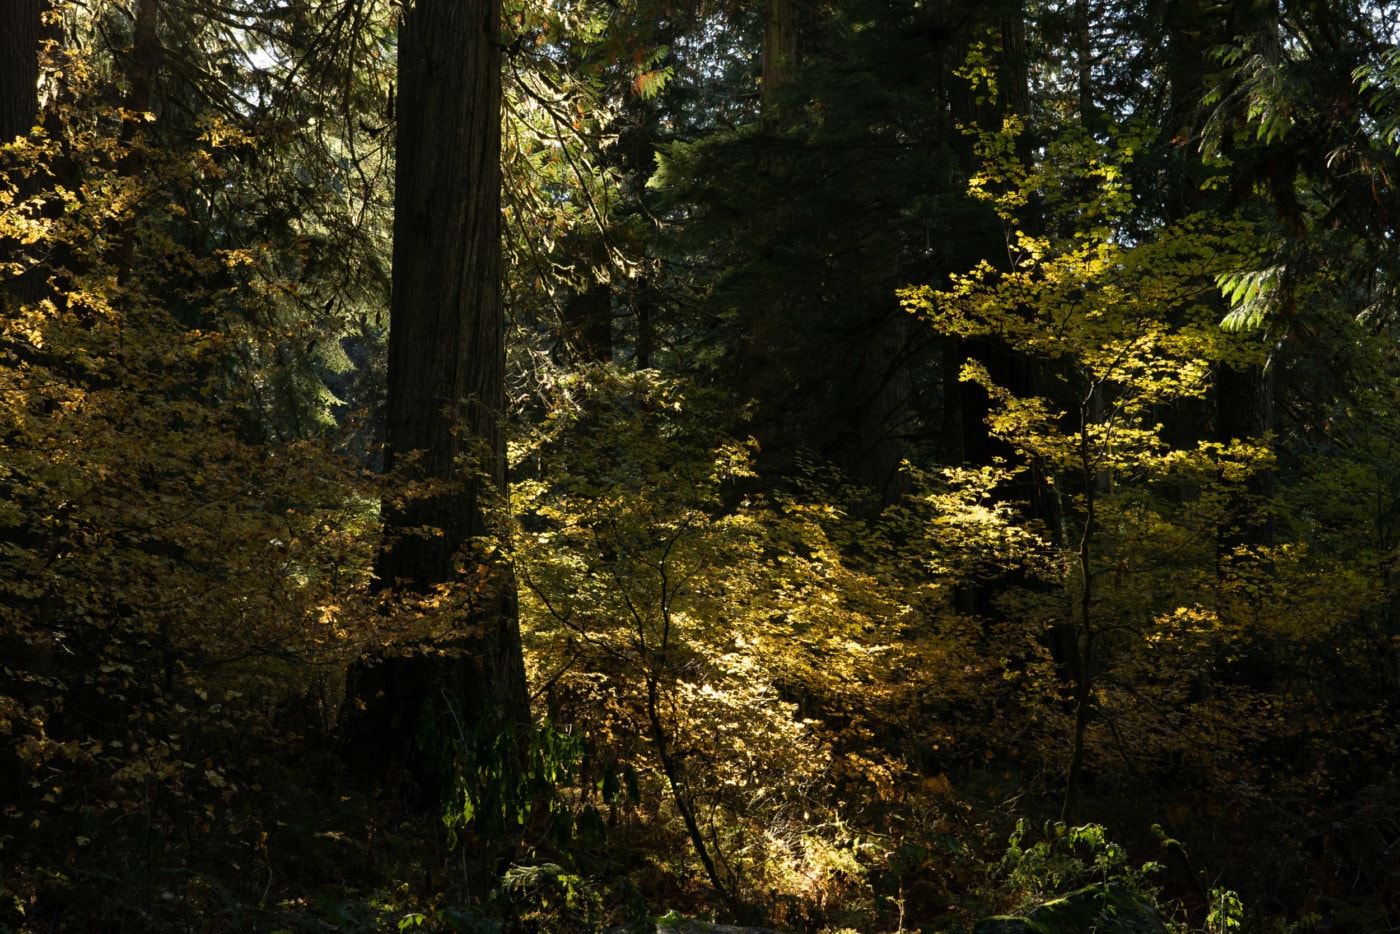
<point>446,407</point>
